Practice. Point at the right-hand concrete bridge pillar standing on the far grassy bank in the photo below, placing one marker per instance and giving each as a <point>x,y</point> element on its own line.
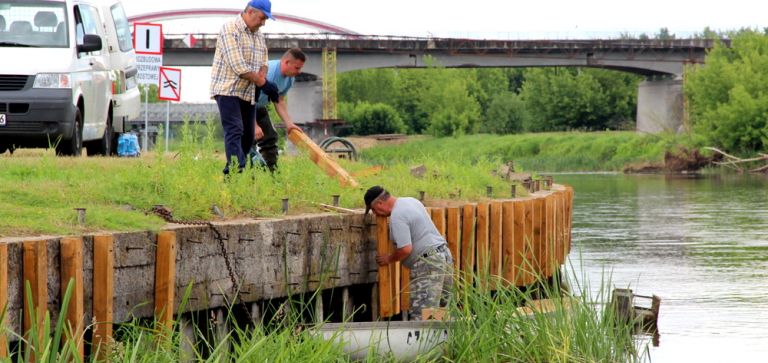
<point>660,105</point>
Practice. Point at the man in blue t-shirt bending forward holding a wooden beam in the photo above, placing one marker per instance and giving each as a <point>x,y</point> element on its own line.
<point>282,73</point>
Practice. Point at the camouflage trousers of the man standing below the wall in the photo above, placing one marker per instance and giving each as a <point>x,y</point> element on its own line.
<point>431,281</point>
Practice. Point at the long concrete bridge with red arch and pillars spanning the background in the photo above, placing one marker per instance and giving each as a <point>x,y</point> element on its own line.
<point>662,62</point>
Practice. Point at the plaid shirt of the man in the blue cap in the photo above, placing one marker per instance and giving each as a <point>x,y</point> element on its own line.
<point>238,51</point>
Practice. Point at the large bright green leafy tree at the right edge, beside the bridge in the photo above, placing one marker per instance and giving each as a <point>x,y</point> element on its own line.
<point>728,99</point>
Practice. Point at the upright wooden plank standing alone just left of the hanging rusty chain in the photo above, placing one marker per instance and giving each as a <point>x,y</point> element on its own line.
<point>165,278</point>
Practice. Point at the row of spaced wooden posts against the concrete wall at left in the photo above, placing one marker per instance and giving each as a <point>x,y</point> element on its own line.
<point>35,272</point>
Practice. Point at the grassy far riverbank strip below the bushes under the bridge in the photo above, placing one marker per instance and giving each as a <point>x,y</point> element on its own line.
<point>542,152</point>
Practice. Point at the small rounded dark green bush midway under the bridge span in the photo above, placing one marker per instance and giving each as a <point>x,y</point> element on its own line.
<point>506,114</point>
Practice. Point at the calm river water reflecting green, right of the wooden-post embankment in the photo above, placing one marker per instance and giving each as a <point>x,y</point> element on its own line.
<point>700,243</point>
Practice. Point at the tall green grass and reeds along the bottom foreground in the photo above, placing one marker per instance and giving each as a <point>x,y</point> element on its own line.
<point>488,328</point>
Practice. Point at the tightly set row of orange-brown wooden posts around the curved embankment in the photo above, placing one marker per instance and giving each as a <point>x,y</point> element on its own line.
<point>501,243</point>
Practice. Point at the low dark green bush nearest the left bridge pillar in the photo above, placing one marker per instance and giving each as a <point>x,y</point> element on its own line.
<point>370,119</point>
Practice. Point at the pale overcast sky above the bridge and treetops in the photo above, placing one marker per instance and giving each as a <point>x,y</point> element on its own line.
<point>556,19</point>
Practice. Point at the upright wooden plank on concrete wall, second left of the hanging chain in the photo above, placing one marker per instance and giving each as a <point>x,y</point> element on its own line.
<point>103,292</point>
